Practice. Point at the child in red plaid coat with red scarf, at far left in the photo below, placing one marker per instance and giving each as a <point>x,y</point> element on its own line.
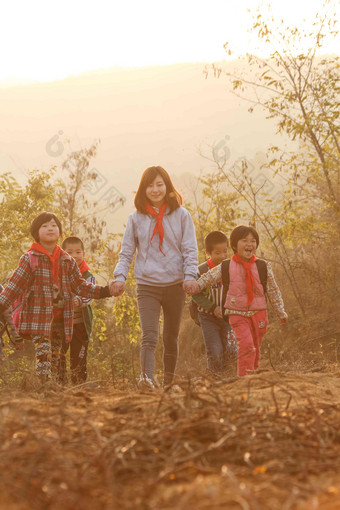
<point>46,278</point>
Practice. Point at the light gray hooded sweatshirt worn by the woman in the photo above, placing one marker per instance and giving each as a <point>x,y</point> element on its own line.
<point>179,262</point>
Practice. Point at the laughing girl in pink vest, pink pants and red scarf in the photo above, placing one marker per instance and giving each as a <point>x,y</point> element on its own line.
<point>245,303</point>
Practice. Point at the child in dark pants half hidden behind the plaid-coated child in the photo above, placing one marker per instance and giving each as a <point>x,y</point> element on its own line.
<point>82,319</point>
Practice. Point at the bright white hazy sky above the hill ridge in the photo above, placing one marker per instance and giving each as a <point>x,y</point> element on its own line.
<point>41,40</point>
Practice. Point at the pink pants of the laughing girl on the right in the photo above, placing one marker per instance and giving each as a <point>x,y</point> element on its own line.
<point>249,332</point>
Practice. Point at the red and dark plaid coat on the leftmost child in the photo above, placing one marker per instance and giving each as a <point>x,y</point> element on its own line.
<point>36,287</point>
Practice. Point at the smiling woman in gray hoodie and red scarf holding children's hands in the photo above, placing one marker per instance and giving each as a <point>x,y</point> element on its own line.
<point>162,233</point>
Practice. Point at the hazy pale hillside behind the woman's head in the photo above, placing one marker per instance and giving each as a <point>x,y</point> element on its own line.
<point>143,116</point>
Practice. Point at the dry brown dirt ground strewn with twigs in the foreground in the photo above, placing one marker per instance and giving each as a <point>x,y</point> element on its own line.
<point>267,441</point>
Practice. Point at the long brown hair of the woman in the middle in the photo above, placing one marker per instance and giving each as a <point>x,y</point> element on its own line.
<point>172,197</point>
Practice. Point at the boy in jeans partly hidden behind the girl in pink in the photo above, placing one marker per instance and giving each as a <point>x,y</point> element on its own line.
<point>206,309</point>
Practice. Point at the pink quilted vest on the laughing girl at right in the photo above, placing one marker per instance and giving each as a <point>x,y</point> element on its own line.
<point>237,298</point>
